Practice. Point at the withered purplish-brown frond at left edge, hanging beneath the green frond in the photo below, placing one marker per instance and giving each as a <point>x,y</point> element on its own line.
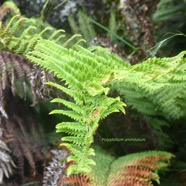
<point>17,73</point>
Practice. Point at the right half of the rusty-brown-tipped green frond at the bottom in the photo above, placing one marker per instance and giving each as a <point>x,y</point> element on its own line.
<point>138,168</point>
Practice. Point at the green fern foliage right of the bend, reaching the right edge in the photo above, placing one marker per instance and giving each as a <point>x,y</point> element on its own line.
<point>154,87</point>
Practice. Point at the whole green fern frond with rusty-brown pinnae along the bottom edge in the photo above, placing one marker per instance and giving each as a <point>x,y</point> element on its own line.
<point>134,169</point>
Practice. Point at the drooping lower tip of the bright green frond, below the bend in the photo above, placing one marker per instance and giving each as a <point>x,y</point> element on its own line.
<point>87,118</point>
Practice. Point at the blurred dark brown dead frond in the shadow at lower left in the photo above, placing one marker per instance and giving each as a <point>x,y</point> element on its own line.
<point>23,135</point>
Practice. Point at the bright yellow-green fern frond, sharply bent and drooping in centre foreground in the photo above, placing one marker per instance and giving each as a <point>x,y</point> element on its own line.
<point>85,75</point>
